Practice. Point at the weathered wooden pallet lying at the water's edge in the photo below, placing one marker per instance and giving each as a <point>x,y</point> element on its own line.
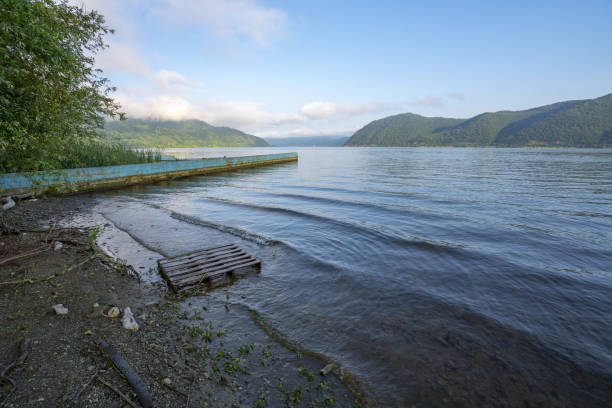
<point>201,266</point>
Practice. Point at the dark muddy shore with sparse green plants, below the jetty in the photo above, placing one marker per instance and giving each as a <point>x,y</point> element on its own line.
<point>211,352</point>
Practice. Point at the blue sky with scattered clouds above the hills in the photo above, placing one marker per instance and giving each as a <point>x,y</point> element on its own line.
<point>302,68</point>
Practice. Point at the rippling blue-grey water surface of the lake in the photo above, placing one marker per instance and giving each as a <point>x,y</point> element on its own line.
<point>433,276</point>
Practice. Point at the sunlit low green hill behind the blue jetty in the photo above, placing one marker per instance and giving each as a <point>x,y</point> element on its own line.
<point>153,133</point>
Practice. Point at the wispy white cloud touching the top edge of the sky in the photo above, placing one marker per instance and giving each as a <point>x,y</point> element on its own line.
<point>228,18</point>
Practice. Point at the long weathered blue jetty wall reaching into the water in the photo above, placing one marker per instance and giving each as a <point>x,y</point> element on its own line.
<point>108,177</point>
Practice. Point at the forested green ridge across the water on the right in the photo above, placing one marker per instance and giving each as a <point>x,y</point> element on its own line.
<point>582,123</point>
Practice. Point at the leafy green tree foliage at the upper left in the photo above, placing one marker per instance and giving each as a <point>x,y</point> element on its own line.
<point>51,95</point>
